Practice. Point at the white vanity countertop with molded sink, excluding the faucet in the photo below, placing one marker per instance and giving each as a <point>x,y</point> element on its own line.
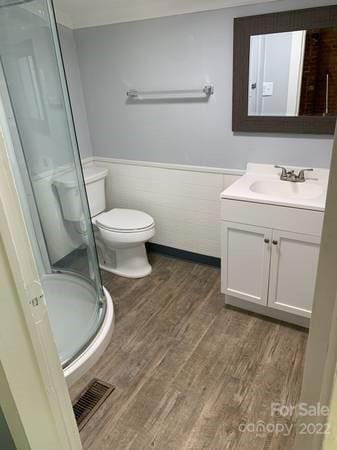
<point>264,177</point>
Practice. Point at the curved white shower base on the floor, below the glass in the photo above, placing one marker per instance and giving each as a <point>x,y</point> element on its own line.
<point>78,328</point>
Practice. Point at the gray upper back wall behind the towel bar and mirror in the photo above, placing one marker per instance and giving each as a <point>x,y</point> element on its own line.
<point>183,51</point>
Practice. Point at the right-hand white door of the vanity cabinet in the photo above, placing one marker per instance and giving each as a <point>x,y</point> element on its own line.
<point>293,270</point>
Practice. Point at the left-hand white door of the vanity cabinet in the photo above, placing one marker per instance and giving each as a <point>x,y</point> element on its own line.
<point>245,261</point>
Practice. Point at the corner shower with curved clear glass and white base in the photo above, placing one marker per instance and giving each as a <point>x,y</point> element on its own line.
<point>36,118</point>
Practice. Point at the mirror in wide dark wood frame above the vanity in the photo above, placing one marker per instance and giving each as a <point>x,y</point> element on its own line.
<point>285,72</point>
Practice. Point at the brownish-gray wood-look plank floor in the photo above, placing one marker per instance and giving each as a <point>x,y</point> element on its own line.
<point>189,371</point>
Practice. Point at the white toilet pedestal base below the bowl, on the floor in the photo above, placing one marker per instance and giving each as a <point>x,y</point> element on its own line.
<point>128,262</point>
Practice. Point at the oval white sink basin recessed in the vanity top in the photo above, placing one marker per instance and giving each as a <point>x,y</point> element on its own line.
<point>286,189</point>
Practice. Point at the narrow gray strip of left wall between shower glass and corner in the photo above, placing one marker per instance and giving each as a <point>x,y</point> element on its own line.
<point>68,47</point>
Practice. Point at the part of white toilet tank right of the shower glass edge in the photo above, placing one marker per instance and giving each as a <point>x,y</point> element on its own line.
<point>94,178</point>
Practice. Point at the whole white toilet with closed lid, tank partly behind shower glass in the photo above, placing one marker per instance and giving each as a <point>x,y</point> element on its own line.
<point>120,234</point>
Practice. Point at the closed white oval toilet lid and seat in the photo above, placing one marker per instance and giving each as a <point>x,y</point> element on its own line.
<point>126,220</point>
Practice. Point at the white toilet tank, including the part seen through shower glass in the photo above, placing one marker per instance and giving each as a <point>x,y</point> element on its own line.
<point>69,195</point>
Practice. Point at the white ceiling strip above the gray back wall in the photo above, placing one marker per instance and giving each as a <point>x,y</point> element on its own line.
<point>87,13</point>
